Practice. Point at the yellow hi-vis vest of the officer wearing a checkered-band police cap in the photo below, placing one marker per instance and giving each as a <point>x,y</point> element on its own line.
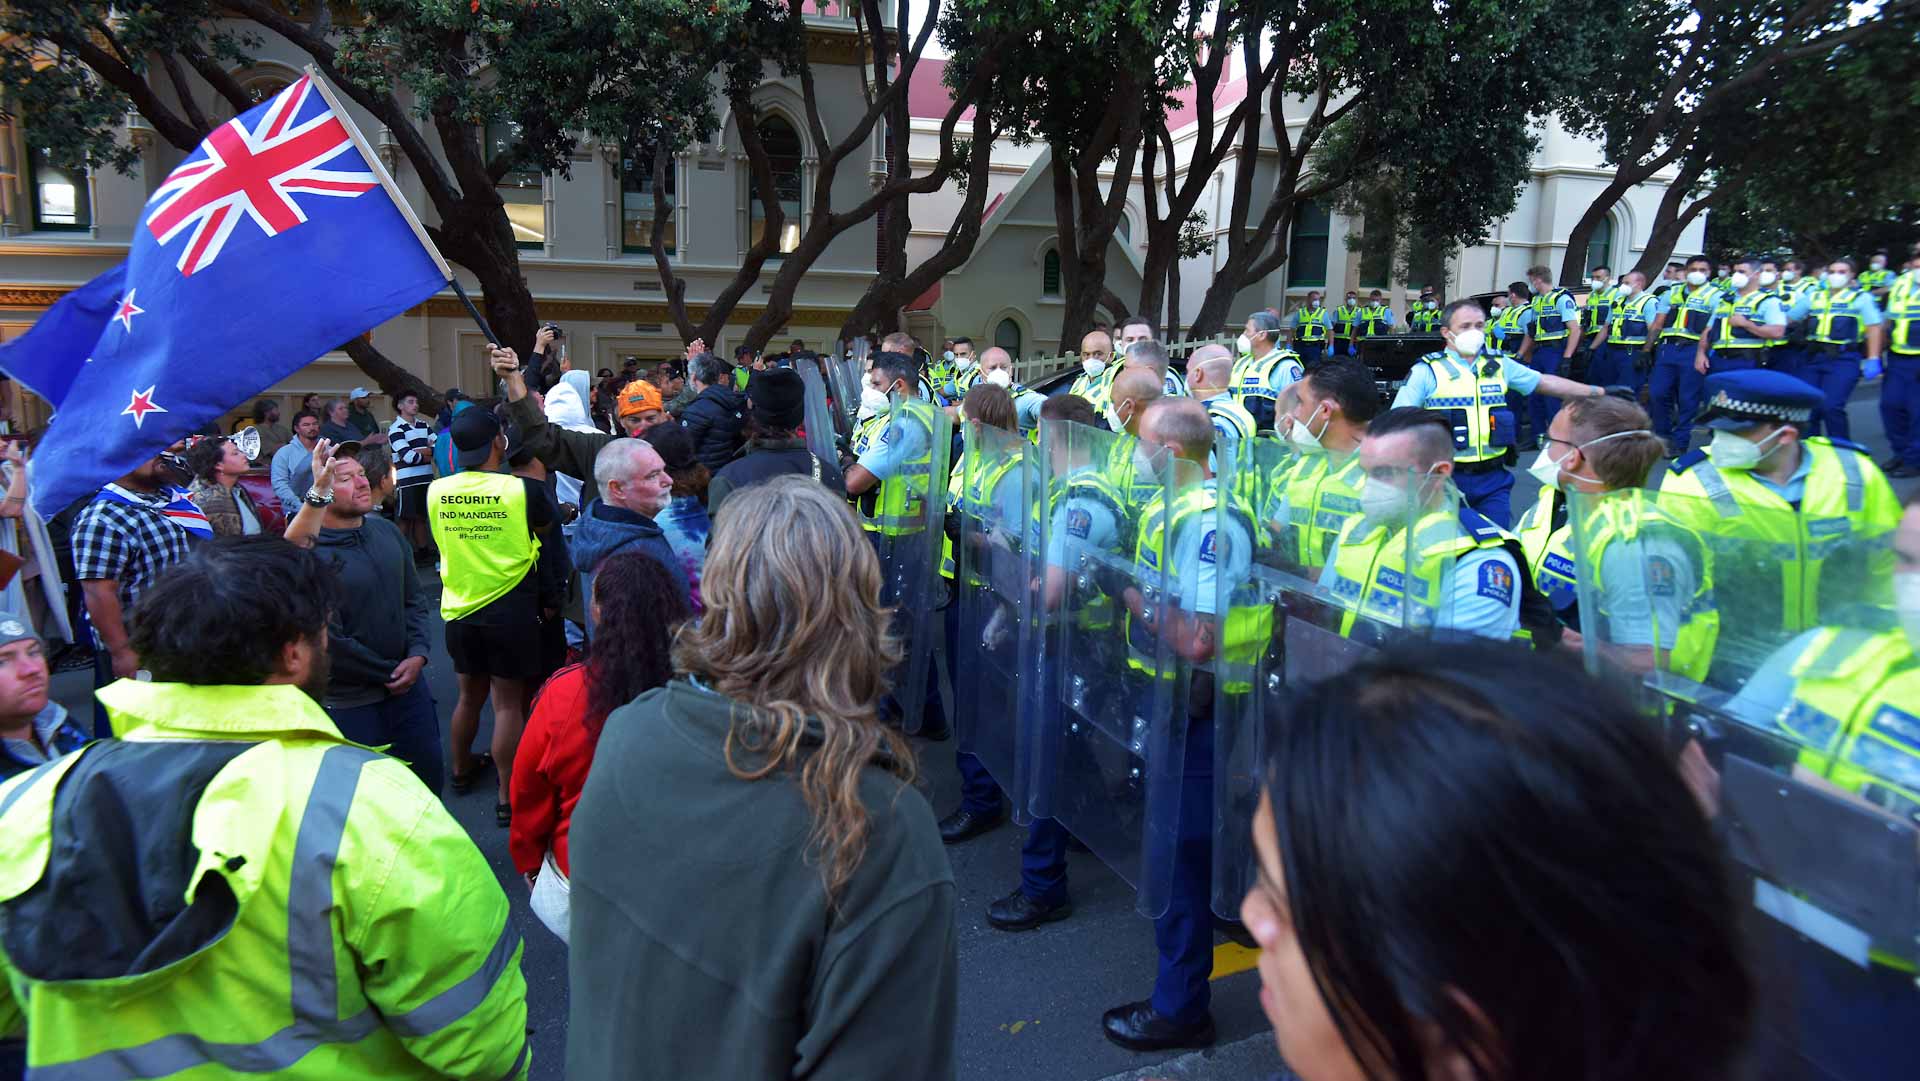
<point>1838,508</point>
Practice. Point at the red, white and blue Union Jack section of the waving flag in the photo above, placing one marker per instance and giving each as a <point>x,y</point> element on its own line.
<point>254,172</point>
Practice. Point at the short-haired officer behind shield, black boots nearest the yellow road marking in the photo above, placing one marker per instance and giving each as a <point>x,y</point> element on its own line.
<point>1199,544</point>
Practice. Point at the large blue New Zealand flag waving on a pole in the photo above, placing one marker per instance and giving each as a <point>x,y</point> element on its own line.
<point>279,239</point>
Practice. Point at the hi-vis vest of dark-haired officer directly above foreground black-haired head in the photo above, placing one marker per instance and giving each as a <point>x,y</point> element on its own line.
<point>1372,577</point>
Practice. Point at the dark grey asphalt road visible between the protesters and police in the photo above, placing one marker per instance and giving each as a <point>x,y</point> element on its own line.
<point>1030,1003</point>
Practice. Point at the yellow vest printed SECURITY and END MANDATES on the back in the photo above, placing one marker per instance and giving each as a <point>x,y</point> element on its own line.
<point>485,544</point>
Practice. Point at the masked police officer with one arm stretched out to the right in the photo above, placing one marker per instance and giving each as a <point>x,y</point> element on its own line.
<point>1470,391</point>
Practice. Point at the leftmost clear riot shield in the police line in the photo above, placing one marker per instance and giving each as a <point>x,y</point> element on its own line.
<point>911,516</point>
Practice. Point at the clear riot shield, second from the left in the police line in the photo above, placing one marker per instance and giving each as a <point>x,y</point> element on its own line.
<point>999,650</point>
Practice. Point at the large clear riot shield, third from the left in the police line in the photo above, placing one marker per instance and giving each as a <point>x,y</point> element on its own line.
<point>1111,729</point>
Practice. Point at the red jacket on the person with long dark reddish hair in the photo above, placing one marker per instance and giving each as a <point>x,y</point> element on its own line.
<point>550,769</point>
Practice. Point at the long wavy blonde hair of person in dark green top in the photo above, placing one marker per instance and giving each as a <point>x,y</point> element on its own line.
<point>796,637</point>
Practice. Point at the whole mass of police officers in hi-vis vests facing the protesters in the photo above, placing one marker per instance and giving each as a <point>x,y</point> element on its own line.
<point>1147,565</point>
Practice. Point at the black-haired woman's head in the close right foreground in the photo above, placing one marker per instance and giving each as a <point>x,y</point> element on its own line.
<point>1533,892</point>
